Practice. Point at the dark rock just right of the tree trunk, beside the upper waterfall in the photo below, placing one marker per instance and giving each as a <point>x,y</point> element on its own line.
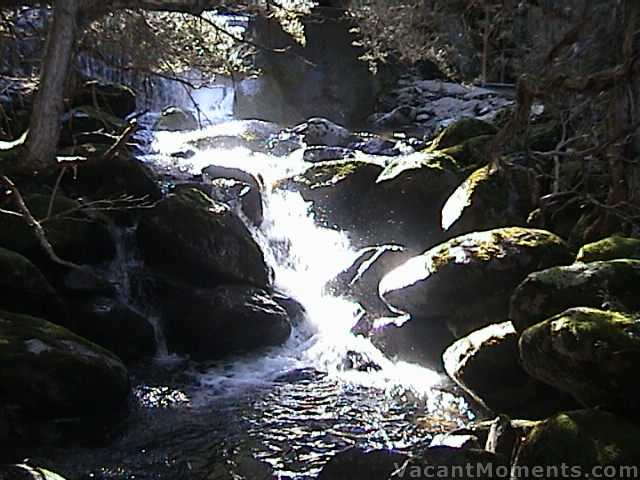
<point>113,98</point>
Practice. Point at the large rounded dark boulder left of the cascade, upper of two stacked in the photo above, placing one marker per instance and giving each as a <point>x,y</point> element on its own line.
<point>201,241</point>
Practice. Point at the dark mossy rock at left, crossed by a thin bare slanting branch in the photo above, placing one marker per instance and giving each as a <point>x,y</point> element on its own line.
<point>73,234</point>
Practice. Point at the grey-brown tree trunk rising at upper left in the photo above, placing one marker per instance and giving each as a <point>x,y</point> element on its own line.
<point>45,123</point>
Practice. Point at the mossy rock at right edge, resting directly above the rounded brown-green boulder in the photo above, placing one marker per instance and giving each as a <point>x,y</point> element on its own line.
<point>612,285</point>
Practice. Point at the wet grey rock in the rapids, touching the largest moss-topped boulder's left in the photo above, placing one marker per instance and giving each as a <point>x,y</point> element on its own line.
<point>360,280</point>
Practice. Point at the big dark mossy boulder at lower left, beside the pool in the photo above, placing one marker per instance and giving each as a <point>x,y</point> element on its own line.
<point>49,372</point>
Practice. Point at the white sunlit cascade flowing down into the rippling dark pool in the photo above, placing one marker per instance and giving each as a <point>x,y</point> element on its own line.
<point>291,407</point>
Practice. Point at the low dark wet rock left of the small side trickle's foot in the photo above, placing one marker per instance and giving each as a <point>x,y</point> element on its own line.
<point>113,325</point>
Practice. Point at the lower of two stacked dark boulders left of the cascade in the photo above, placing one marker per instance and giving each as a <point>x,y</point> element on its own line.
<point>227,320</point>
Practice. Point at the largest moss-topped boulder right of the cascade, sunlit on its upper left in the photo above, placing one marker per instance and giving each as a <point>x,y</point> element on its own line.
<point>468,280</point>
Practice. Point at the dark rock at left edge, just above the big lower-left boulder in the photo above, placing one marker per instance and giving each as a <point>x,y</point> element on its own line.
<point>24,289</point>
